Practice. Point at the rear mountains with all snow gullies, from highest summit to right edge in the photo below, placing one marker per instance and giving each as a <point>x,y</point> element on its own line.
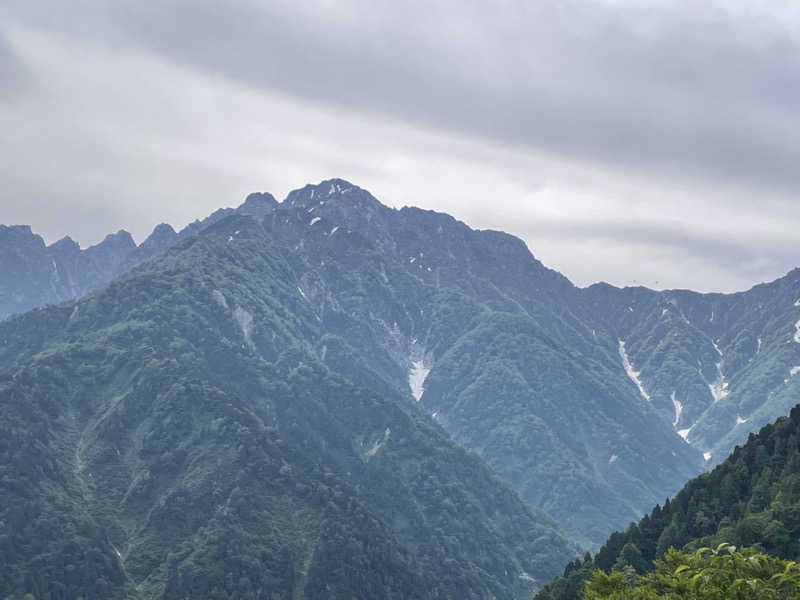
<point>594,403</point>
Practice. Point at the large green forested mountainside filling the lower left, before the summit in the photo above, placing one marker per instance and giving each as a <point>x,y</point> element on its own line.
<point>193,430</point>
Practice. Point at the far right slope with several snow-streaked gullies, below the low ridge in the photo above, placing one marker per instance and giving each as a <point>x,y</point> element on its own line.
<point>716,366</point>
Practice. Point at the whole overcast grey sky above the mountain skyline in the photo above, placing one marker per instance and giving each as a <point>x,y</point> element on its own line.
<point>653,143</point>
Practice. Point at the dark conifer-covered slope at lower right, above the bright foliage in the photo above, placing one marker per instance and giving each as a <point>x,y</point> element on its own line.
<point>751,499</point>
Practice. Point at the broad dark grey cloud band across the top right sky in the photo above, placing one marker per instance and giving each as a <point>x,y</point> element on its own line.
<point>686,91</point>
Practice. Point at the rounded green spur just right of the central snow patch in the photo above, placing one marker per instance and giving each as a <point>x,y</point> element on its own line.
<point>568,436</point>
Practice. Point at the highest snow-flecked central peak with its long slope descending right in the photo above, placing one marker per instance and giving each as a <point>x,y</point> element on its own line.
<point>493,345</point>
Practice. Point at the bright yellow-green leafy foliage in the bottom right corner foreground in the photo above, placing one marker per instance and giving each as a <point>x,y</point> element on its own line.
<point>726,573</point>
